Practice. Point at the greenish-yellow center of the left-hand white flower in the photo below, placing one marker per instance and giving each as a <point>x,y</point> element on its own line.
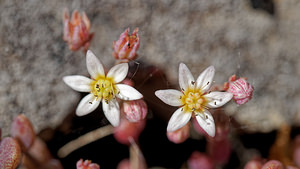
<point>104,88</point>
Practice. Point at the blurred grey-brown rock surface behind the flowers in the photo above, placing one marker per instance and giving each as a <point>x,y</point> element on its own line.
<point>258,39</point>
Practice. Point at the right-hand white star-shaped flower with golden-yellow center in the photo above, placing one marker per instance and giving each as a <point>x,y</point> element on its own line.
<point>194,98</point>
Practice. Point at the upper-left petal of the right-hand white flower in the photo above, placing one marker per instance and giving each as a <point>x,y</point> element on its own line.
<point>185,76</point>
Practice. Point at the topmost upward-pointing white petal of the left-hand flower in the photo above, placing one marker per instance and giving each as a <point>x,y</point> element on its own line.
<point>94,65</point>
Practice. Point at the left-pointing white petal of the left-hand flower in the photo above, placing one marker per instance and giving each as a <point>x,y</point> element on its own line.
<point>78,83</point>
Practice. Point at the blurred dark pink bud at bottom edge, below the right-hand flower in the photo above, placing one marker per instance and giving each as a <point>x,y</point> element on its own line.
<point>200,161</point>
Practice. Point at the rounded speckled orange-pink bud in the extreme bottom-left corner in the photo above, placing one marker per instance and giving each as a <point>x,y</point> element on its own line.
<point>10,153</point>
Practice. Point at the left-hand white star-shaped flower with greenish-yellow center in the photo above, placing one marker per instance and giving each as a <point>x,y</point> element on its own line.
<point>103,88</point>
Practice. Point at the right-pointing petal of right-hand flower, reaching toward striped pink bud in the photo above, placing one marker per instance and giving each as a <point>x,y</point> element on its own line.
<point>217,99</point>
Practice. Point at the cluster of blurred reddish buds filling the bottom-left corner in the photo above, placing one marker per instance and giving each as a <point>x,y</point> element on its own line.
<point>23,145</point>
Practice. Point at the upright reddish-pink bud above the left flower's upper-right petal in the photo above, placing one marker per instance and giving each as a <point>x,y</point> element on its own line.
<point>125,48</point>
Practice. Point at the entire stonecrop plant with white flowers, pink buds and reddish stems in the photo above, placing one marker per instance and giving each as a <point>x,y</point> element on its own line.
<point>127,111</point>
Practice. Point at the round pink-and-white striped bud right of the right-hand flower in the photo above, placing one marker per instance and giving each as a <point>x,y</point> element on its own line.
<point>240,88</point>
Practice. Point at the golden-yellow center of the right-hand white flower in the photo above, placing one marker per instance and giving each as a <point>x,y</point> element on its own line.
<point>193,100</point>
